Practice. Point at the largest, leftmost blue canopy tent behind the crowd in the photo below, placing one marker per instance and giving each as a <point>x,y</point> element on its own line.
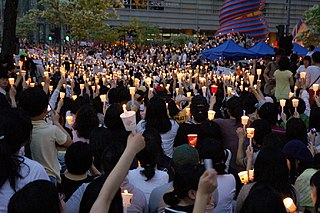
<point>228,50</point>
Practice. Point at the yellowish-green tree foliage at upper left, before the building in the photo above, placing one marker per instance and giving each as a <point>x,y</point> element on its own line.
<point>86,18</point>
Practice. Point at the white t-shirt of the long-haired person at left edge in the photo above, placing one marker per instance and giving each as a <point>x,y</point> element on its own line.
<point>30,171</point>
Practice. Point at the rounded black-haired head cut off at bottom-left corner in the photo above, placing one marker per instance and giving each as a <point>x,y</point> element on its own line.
<point>37,196</point>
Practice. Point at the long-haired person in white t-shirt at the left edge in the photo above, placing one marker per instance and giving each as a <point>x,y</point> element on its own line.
<point>16,171</point>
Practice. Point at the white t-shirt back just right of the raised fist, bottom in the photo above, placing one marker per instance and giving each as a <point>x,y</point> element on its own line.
<point>226,190</point>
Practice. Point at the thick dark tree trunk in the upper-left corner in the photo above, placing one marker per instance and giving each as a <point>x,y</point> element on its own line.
<point>9,27</point>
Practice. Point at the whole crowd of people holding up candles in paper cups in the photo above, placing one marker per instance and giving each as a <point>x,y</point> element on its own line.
<point>203,140</point>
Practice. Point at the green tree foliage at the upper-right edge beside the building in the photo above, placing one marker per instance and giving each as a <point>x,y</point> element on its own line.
<point>312,19</point>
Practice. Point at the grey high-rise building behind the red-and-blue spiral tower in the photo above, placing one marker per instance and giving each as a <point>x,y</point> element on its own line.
<point>190,16</point>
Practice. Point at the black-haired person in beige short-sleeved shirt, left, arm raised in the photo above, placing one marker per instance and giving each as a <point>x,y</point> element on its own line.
<point>43,148</point>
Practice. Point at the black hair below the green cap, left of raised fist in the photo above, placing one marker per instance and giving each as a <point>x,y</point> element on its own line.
<point>186,178</point>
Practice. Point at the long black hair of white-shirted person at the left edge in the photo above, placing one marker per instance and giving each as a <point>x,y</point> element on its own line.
<point>15,131</point>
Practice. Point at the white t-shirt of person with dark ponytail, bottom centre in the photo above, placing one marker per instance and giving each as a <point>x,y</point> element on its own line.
<point>139,180</point>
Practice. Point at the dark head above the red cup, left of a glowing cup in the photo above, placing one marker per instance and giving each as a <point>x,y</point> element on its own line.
<point>199,108</point>
